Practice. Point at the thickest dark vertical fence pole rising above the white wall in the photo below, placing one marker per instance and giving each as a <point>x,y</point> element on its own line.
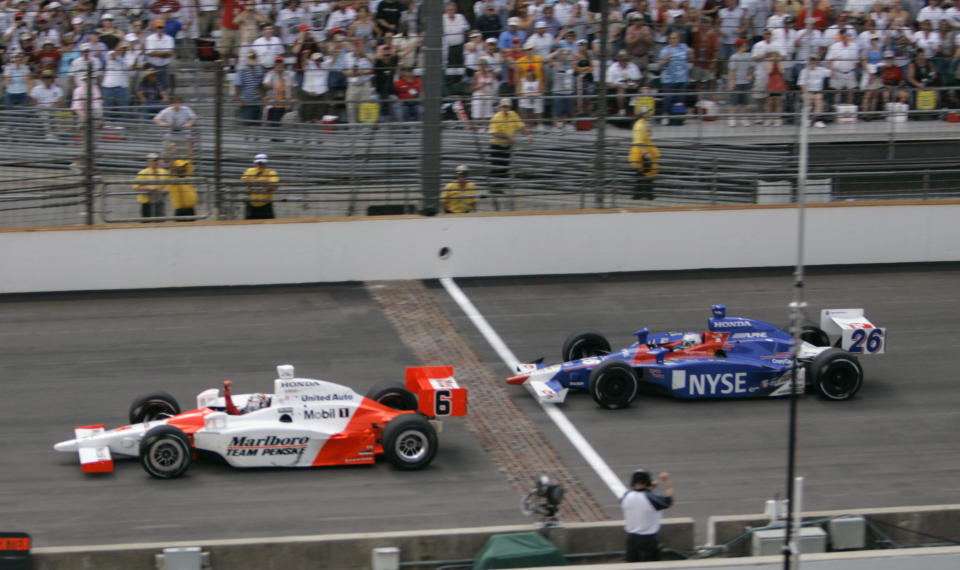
<point>432,100</point>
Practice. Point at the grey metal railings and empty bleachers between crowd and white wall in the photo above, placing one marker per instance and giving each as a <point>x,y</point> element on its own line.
<point>368,168</point>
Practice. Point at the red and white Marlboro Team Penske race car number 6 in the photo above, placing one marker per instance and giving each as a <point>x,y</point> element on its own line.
<point>303,423</point>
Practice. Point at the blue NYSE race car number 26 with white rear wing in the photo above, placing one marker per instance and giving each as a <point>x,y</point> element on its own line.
<point>735,357</point>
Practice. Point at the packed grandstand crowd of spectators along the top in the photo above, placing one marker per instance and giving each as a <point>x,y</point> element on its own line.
<point>359,61</point>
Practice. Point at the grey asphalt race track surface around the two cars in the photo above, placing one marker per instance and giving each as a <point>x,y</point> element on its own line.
<point>70,360</point>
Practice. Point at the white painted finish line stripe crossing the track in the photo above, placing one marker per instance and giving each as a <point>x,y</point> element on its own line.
<point>553,412</point>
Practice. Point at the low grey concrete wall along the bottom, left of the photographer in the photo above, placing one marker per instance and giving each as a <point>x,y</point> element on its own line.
<point>353,551</point>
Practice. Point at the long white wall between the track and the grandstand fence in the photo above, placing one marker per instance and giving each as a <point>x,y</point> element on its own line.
<point>163,255</point>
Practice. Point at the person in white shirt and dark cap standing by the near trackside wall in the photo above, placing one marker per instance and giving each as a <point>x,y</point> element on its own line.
<point>642,515</point>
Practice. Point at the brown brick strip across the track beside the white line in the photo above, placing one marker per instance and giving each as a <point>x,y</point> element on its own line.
<point>513,442</point>
